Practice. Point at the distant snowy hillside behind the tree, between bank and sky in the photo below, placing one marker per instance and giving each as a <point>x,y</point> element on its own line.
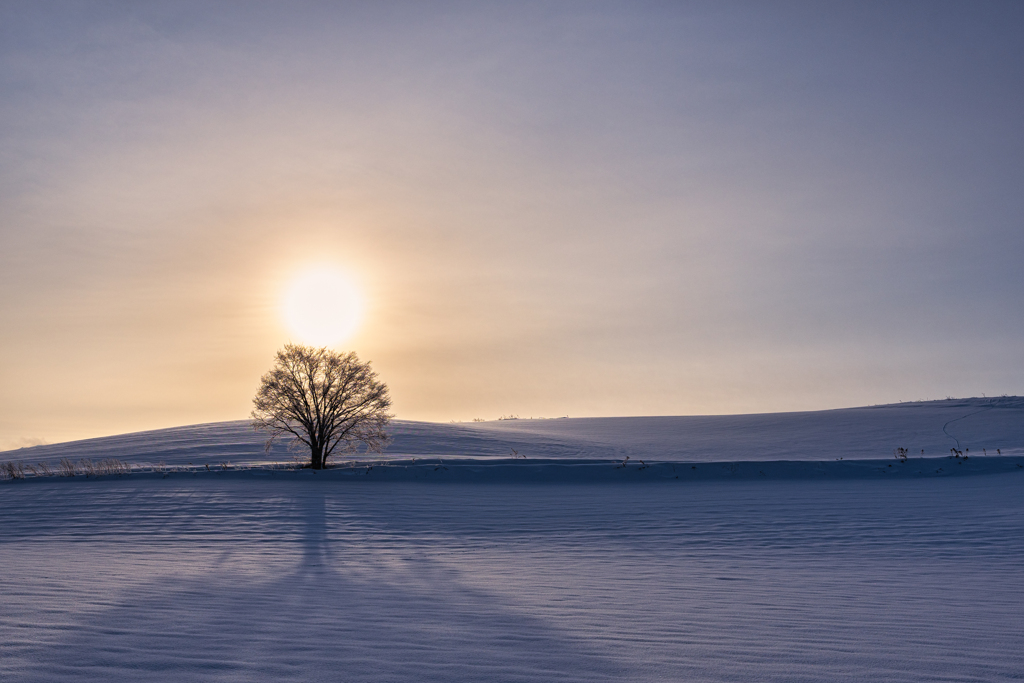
<point>850,434</point>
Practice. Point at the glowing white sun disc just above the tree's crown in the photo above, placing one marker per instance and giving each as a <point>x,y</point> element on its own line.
<point>323,307</point>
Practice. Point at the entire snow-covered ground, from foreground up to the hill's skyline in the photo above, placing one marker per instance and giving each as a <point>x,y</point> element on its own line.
<point>560,567</point>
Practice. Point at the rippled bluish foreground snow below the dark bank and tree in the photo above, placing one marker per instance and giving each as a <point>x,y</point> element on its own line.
<point>246,580</point>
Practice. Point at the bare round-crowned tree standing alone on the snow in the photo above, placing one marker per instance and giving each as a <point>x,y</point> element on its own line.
<point>330,402</point>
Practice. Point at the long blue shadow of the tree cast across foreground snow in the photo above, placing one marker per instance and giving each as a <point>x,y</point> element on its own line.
<point>348,611</point>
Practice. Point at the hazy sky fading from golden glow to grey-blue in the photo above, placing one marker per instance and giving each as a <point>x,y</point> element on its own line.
<point>551,208</point>
